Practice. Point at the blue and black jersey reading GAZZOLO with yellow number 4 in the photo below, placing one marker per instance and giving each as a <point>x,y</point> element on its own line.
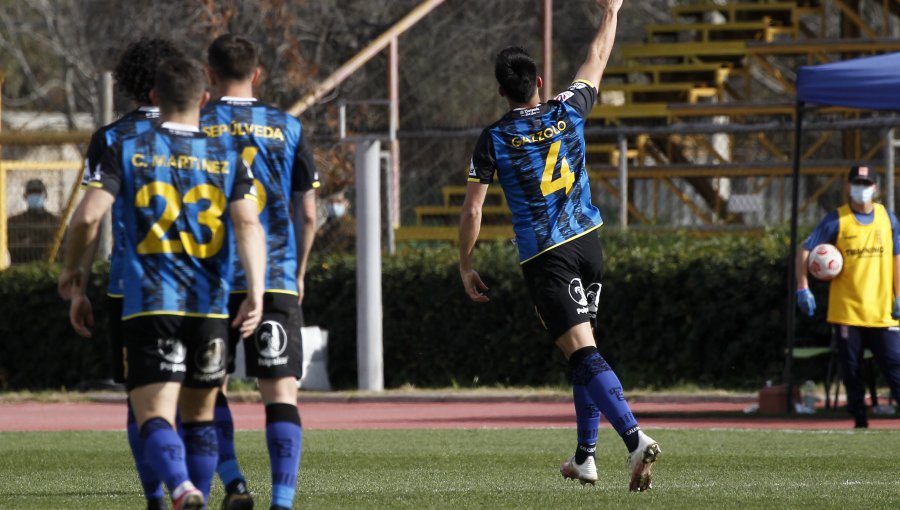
<point>538,155</point>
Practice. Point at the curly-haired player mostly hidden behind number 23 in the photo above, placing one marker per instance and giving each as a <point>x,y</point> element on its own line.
<point>134,75</point>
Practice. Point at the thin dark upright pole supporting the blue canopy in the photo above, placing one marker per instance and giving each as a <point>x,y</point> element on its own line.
<point>792,257</point>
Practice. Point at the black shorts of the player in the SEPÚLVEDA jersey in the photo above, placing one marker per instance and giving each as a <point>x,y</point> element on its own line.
<point>275,349</point>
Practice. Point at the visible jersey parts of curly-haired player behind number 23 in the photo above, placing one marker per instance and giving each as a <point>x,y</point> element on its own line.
<point>132,123</point>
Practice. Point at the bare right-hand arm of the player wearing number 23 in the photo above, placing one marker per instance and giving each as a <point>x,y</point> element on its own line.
<point>251,245</point>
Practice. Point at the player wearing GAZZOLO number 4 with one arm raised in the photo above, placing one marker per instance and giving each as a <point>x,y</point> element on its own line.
<point>537,151</point>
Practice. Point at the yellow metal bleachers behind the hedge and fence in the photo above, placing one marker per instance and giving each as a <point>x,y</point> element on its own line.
<point>699,65</point>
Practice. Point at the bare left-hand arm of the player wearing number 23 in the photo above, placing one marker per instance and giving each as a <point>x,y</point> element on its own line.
<point>83,231</point>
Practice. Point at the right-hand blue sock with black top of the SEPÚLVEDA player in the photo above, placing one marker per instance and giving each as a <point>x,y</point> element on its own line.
<point>283,438</point>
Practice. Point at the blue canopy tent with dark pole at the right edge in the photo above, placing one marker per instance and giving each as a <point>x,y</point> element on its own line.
<point>871,83</point>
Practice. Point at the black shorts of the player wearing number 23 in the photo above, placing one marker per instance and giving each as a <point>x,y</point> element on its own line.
<point>171,348</point>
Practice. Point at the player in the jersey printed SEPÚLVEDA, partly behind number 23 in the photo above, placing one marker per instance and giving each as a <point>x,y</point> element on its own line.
<point>286,177</point>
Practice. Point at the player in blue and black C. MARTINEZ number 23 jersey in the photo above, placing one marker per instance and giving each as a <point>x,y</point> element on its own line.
<point>184,196</point>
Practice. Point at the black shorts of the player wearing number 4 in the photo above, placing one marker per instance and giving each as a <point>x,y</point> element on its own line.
<point>564,283</point>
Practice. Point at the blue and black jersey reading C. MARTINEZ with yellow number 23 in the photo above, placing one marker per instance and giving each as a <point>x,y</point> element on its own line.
<point>175,186</point>
